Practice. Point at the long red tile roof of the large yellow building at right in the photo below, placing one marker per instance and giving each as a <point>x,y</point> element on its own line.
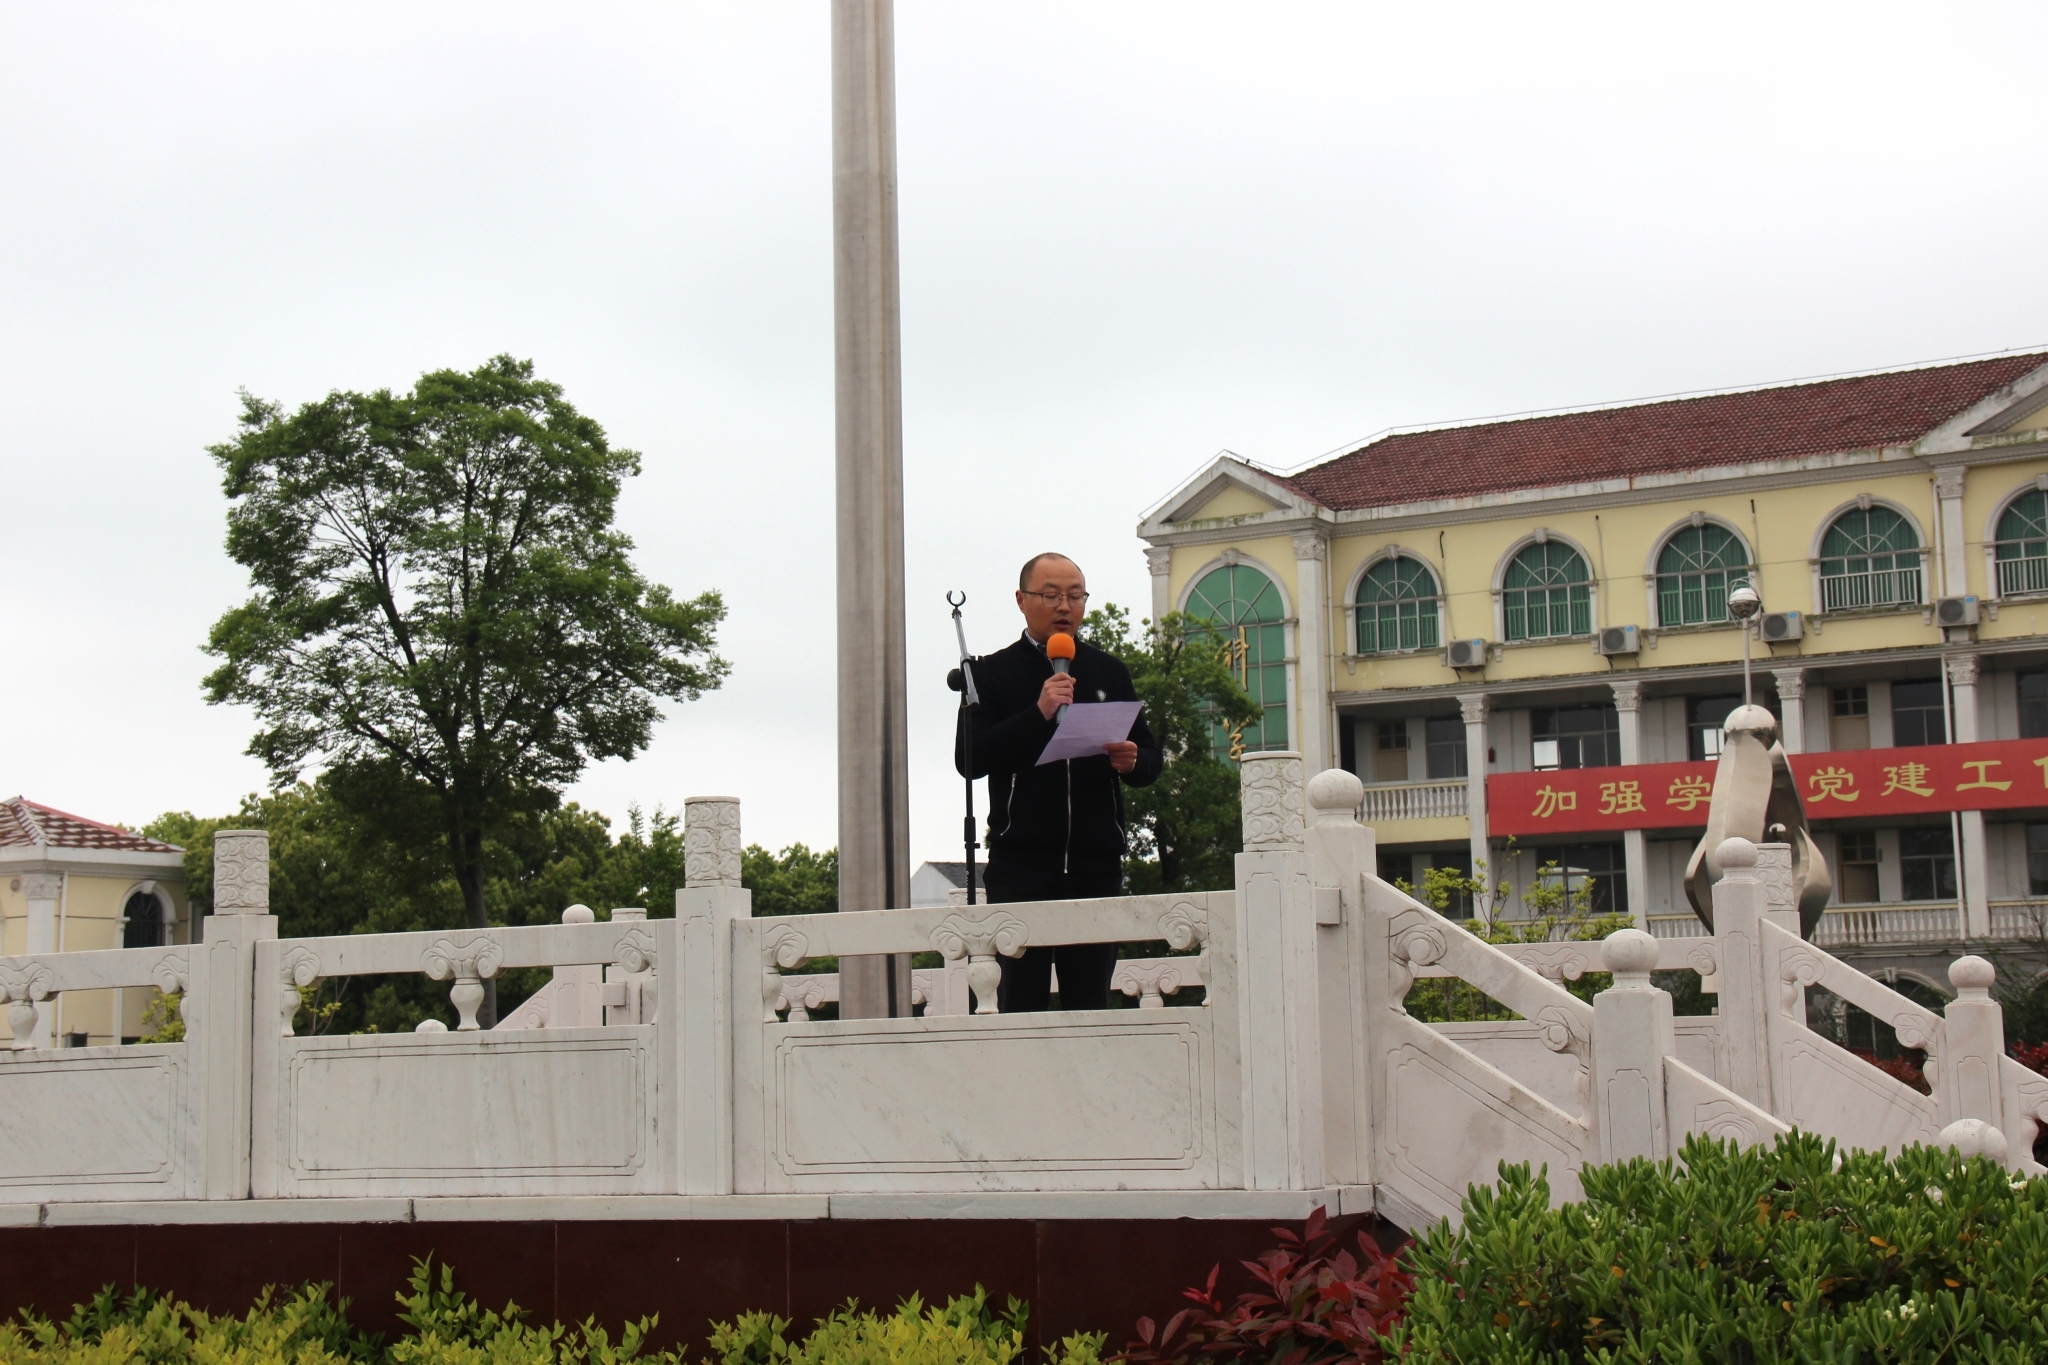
<point>1648,439</point>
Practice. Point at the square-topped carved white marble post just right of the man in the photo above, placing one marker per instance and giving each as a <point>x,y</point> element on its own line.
<point>1277,979</point>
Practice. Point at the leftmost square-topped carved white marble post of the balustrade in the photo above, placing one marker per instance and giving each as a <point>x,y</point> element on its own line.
<point>220,1006</point>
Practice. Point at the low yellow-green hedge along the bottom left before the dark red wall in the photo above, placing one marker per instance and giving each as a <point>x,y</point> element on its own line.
<point>450,1329</point>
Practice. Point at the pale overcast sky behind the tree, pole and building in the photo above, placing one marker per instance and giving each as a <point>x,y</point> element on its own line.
<point>1134,236</point>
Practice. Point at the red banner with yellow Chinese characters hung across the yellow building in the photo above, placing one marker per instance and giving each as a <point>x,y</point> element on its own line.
<point>1932,779</point>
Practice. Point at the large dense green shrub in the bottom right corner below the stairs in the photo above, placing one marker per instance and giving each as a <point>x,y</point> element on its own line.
<point>1785,1253</point>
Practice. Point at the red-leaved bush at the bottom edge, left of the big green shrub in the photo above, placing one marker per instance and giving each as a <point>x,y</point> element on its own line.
<point>1312,1309</point>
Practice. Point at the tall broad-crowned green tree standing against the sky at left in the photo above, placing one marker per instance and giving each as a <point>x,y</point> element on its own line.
<point>443,611</point>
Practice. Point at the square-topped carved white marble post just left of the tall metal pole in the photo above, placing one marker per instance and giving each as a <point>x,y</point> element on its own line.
<point>703,994</point>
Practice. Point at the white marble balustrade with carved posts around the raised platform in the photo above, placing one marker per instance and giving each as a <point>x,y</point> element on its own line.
<point>681,1057</point>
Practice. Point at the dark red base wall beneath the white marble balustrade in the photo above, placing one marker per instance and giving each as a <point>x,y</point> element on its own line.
<point>1076,1274</point>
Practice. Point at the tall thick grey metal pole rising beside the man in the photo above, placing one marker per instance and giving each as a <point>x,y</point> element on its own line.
<point>869,408</point>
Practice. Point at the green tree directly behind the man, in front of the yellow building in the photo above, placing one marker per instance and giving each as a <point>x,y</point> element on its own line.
<point>1187,826</point>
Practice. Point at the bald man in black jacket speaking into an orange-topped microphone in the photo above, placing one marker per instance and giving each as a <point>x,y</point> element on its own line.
<point>1056,832</point>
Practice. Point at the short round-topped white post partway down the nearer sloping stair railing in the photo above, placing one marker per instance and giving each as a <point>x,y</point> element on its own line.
<point>1633,1034</point>
